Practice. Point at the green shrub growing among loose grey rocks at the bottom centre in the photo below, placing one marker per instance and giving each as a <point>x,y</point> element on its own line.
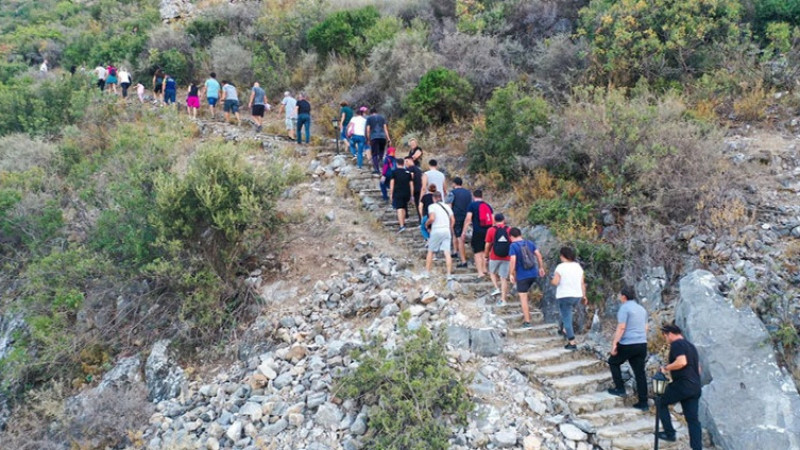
<point>412,392</point>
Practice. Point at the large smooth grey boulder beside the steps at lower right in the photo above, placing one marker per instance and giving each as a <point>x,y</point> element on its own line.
<point>748,402</point>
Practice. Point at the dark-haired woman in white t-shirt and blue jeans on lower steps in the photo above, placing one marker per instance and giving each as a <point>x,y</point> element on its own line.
<point>570,289</point>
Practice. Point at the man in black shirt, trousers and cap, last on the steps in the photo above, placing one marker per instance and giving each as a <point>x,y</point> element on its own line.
<point>684,365</point>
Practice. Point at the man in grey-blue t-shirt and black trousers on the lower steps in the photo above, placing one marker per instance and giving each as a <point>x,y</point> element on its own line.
<point>630,344</point>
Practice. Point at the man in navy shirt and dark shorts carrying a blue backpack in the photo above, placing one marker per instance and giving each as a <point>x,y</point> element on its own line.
<point>526,266</point>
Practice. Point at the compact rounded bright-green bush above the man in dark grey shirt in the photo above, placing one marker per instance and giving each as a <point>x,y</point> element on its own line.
<point>440,97</point>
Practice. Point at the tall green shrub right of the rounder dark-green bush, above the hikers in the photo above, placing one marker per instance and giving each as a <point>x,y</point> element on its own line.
<point>512,116</point>
